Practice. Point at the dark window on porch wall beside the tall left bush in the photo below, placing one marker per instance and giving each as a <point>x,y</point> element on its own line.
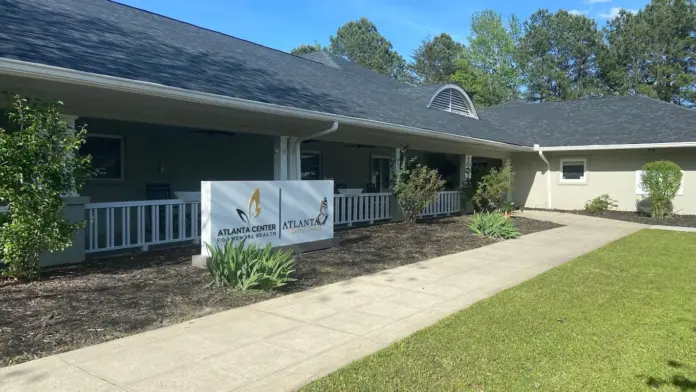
<point>107,156</point>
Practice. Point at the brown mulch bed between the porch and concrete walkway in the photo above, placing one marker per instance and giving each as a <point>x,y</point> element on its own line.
<point>81,305</point>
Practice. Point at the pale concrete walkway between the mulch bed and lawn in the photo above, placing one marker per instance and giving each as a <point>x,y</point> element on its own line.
<point>284,343</point>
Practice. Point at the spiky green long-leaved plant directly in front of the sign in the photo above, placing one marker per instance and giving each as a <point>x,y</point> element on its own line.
<point>237,265</point>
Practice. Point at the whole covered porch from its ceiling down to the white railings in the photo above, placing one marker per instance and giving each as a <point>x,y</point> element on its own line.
<point>152,152</point>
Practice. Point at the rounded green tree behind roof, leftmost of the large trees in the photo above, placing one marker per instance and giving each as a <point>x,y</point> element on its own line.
<point>360,41</point>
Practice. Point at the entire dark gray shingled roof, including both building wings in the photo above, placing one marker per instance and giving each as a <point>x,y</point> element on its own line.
<point>108,38</point>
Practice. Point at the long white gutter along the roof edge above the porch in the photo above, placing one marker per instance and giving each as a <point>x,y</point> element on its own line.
<point>64,75</point>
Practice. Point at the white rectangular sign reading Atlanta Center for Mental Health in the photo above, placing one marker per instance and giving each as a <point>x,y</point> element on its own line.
<point>279,213</point>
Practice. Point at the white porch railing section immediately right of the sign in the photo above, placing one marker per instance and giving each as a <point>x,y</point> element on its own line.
<point>365,207</point>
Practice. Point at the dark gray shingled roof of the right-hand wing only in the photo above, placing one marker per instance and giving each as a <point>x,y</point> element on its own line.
<point>595,121</point>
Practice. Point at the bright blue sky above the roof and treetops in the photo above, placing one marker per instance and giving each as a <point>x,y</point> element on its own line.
<point>285,24</point>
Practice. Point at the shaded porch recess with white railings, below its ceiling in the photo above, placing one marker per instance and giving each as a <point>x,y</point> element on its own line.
<point>147,190</point>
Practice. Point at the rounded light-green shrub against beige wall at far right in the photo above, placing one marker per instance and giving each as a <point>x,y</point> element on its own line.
<point>661,180</point>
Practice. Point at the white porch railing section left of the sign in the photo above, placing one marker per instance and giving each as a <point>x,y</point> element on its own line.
<point>133,224</point>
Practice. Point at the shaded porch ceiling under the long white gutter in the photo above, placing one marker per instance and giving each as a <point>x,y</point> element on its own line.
<point>88,101</point>
